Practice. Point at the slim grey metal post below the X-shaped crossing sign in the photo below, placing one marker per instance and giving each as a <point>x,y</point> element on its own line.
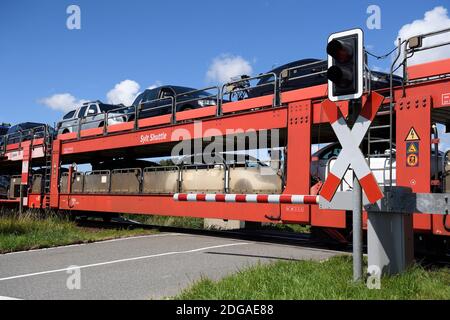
<point>357,231</point>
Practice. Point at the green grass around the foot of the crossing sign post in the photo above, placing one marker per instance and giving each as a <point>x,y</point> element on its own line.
<point>311,280</point>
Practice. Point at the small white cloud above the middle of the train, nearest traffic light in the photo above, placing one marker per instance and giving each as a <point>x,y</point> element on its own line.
<point>227,66</point>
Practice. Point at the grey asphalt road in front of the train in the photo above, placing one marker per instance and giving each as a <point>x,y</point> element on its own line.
<point>148,267</point>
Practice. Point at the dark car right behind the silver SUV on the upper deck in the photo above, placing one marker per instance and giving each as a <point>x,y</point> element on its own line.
<point>158,101</point>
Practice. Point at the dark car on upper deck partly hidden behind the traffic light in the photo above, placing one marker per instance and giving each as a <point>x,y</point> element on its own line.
<point>307,73</point>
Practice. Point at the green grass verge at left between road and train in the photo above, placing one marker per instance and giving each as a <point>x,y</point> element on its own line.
<point>33,231</point>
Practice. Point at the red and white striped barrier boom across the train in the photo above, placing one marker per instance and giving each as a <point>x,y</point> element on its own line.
<point>247,198</point>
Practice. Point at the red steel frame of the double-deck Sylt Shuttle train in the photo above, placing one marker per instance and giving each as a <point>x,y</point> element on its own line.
<point>301,110</point>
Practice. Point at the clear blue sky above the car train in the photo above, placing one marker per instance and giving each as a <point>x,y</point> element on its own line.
<point>170,42</point>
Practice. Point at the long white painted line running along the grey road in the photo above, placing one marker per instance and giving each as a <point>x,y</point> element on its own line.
<point>124,260</point>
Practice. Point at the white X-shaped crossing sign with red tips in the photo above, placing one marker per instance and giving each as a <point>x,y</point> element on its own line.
<point>351,154</point>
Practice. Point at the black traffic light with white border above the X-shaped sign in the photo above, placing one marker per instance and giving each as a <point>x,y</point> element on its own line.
<point>345,65</point>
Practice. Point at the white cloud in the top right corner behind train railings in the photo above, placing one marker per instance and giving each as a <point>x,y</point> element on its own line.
<point>434,20</point>
